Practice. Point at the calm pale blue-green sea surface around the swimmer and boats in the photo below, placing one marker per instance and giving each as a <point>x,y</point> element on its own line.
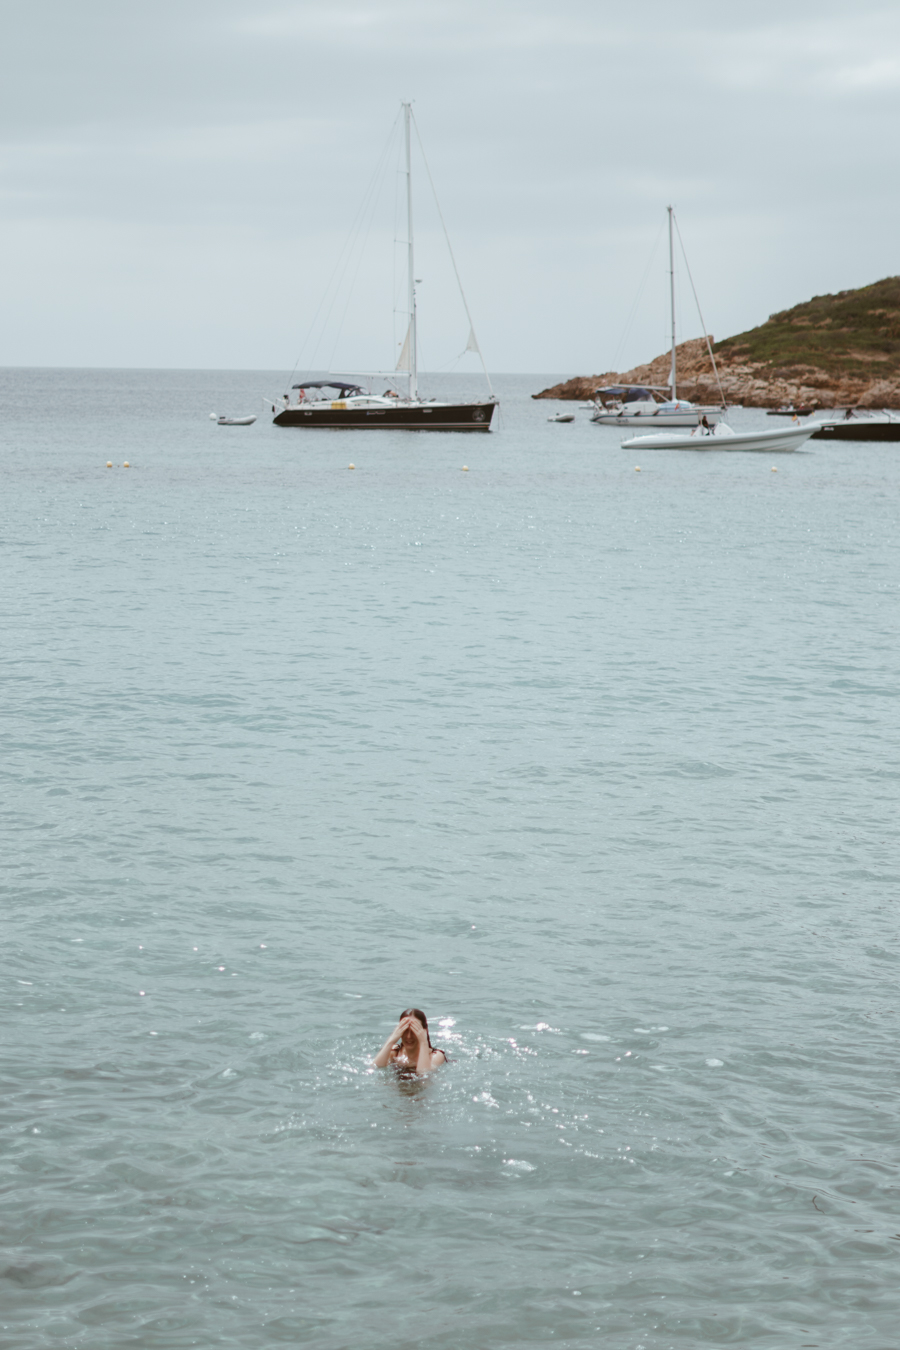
<point>597,767</point>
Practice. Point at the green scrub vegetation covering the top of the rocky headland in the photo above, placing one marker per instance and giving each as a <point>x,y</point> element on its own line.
<point>856,333</point>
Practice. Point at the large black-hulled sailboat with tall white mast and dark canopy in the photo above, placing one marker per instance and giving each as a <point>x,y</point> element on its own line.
<point>346,404</point>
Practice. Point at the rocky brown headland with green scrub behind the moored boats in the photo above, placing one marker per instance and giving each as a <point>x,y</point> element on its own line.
<point>832,352</point>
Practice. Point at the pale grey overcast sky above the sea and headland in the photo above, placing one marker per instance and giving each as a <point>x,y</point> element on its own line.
<point>179,182</point>
